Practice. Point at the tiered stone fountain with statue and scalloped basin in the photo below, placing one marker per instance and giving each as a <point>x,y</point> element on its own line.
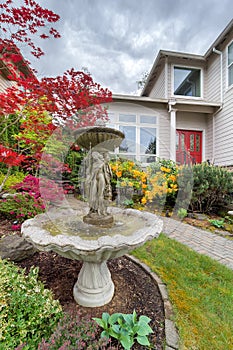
<point>95,232</point>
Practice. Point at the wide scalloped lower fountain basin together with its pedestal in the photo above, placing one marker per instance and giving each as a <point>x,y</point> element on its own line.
<point>64,232</point>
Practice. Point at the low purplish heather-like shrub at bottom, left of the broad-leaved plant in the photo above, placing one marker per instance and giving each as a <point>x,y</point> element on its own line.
<point>76,333</point>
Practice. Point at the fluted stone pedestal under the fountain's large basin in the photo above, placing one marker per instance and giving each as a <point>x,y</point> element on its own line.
<point>94,286</point>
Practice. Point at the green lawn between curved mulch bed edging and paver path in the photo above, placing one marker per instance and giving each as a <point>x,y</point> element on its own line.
<point>200,289</point>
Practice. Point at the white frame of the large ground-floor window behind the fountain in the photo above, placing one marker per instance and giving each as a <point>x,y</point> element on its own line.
<point>116,124</point>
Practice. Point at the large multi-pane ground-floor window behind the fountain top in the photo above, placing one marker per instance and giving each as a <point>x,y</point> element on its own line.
<point>140,131</point>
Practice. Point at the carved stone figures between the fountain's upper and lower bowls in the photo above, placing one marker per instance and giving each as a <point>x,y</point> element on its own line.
<point>98,186</point>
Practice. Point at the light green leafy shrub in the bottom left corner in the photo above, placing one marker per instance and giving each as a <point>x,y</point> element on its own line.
<point>28,311</point>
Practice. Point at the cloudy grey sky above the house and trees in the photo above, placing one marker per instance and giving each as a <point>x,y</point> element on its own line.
<point>118,40</point>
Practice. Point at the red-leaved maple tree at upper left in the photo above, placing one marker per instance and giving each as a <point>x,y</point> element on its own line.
<point>63,97</point>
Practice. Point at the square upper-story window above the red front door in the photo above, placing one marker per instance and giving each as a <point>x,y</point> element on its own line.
<point>187,81</point>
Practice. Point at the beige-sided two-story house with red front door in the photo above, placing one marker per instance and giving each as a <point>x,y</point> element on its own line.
<point>185,111</point>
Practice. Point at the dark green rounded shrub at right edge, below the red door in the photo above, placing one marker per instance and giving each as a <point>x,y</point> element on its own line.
<point>212,187</point>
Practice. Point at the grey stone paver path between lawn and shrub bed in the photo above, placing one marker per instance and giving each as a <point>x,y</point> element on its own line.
<point>203,242</point>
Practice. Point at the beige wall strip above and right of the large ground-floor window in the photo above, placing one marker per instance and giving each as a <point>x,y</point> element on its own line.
<point>163,122</point>
